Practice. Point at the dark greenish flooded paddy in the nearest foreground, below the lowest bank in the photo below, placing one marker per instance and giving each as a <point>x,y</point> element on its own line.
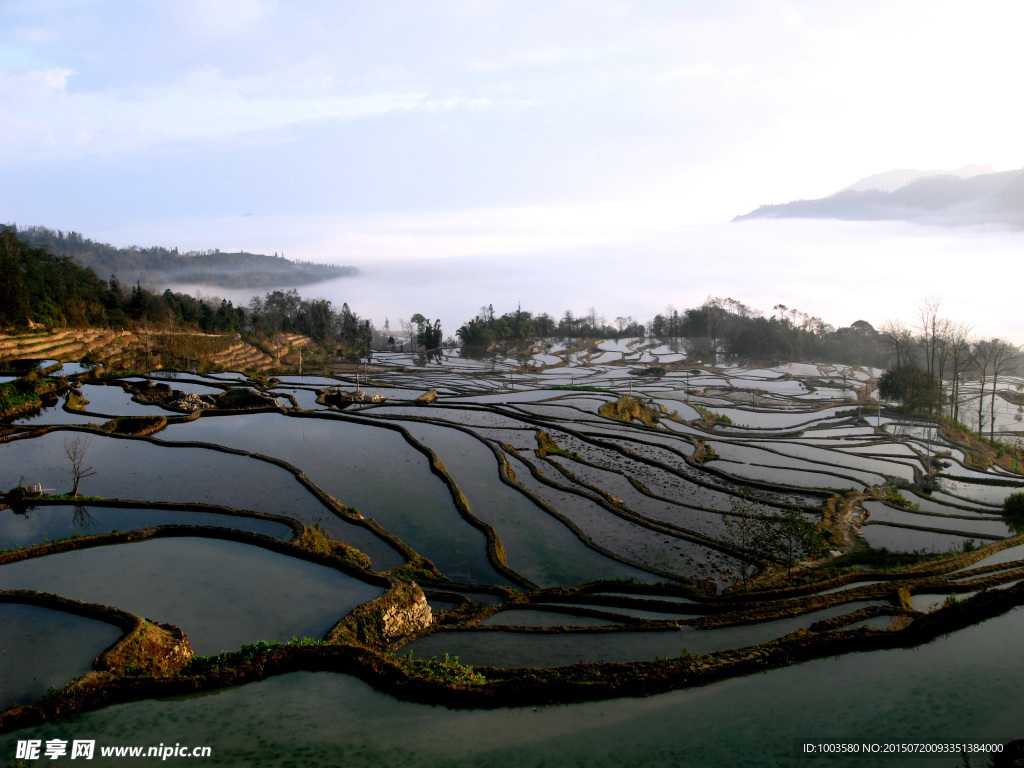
<point>841,699</point>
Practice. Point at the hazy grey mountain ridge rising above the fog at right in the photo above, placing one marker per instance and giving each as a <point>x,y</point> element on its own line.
<point>951,199</point>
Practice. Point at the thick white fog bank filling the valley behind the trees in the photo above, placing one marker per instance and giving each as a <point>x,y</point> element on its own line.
<point>841,272</point>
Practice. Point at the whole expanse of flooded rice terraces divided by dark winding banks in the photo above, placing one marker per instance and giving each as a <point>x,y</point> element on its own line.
<point>569,526</point>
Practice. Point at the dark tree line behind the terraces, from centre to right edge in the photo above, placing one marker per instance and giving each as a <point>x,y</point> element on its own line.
<point>927,365</point>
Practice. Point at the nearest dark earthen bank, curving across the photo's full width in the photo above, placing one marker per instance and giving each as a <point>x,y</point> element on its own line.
<point>520,688</point>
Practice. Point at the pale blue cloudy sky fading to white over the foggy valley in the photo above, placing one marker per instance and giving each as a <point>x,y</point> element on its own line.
<point>475,135</point>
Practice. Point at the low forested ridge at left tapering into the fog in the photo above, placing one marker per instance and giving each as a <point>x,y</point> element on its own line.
<point>158,267</point>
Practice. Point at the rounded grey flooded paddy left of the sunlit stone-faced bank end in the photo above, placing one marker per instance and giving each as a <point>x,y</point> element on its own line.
<point>296,599</point>
